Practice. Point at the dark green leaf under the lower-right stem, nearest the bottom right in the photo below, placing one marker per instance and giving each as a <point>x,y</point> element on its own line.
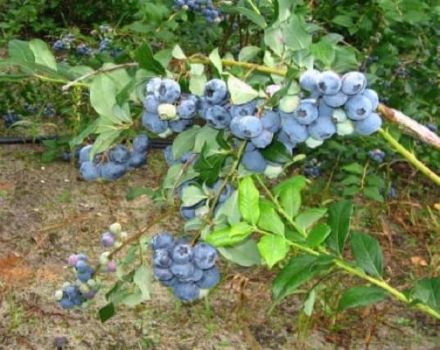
<point>361,296</point>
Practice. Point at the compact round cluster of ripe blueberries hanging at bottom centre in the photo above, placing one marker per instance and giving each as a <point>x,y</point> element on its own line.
<point>188,271</point>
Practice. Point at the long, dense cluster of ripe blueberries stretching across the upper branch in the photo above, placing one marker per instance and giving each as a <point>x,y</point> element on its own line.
<point>332,104</point>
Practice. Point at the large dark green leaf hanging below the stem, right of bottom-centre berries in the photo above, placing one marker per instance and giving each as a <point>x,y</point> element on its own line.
<point>298,271</point>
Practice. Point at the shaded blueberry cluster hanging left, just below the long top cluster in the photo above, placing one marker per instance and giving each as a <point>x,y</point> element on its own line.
<point>116,163</point>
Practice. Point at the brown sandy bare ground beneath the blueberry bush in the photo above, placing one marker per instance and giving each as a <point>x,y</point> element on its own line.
<point>46,213</point>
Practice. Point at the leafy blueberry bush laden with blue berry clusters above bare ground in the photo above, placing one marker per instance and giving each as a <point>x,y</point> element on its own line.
<point>270,87</point>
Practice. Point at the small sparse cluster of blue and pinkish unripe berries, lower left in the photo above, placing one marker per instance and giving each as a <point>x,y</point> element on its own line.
<point>85,287</point>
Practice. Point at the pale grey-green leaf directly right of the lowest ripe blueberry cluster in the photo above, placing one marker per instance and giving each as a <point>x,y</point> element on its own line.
<point>244,254</point>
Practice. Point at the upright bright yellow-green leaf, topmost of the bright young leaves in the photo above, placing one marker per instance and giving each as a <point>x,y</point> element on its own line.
<point>248,199</point>
